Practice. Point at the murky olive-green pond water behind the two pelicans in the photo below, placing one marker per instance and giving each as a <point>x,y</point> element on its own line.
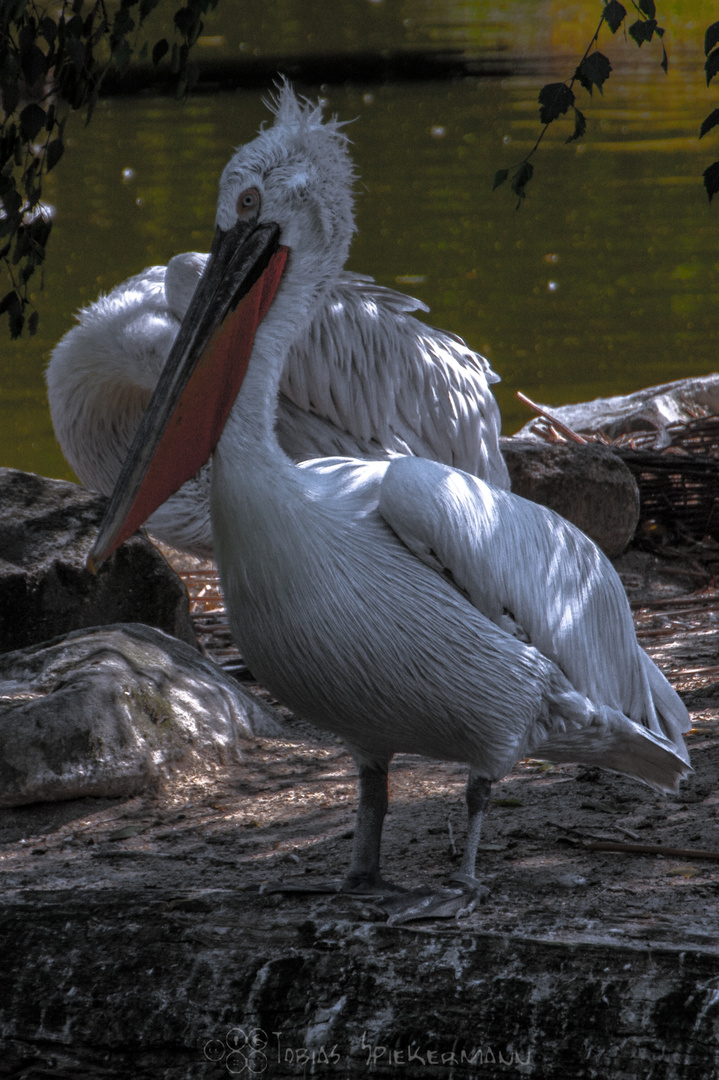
<point>605,281</point>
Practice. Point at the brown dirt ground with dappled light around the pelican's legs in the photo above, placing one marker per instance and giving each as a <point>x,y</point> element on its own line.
<point>287,814</point>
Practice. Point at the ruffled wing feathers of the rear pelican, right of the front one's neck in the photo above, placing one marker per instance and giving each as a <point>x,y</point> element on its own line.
<point>386,379</point>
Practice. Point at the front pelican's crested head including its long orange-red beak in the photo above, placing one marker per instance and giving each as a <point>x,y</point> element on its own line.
<point>287,196</point>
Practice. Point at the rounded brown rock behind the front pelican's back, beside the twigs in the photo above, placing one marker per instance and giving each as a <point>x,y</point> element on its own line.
<point>588,485</point>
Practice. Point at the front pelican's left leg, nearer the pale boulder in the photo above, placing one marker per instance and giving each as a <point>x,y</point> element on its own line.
<point>364,874</point>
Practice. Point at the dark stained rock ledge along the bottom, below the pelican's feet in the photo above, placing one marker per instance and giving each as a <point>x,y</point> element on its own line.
<point>129,981</point>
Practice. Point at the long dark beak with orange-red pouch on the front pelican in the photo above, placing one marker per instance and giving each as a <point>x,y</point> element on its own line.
<point>200,381</point>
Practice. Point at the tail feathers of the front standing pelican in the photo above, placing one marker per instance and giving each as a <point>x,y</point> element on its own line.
<point>613,741</point>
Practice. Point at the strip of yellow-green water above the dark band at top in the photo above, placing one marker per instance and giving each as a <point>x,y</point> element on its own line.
<point>520,31</point>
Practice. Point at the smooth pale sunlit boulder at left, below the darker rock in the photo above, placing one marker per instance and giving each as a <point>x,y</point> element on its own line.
<point>108,711</point>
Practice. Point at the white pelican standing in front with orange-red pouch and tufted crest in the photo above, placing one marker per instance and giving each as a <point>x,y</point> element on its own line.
<point>404,605</point>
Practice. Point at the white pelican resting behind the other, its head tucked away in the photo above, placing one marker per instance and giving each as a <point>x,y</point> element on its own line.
<point>364,380</point>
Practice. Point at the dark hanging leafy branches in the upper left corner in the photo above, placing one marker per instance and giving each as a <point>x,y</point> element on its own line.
<point>53,62</point>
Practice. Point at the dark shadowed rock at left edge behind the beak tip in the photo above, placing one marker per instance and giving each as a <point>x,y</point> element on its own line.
<point>47,531</point>
